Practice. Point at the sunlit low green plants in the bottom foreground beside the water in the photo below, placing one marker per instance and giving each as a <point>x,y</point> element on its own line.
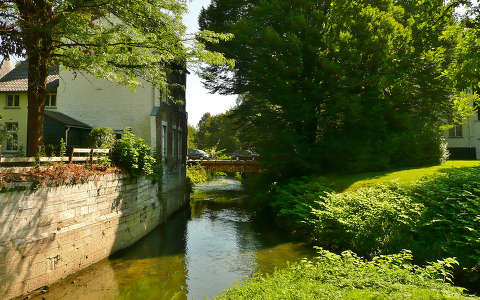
<point>346,276</point>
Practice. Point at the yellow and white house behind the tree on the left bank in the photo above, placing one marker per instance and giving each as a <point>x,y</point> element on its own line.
<point>78,102</point>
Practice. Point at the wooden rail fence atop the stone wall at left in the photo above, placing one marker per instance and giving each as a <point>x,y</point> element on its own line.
<point>90,155</point>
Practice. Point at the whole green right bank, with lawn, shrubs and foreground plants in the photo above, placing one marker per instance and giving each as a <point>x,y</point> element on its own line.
<point>434,212</point>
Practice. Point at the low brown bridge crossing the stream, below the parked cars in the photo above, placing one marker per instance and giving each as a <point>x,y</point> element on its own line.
<point>230,166</point>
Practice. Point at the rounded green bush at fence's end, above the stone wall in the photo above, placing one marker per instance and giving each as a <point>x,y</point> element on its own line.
<point>133,154</point>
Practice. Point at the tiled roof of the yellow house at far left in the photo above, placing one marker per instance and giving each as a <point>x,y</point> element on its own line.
<point>17,79</point>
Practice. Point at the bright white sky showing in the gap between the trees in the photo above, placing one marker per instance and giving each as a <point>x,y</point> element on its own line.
<point>199,100</point>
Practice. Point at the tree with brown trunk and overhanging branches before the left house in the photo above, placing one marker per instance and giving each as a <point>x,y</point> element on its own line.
<point>117,39</point>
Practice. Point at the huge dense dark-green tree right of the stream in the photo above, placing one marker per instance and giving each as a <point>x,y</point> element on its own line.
<point>343,85</point>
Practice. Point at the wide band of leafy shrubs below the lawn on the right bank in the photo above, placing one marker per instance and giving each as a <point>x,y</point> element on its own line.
<point>435,217</point>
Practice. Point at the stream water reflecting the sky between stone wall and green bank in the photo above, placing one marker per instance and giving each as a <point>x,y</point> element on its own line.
<point>197,253</point>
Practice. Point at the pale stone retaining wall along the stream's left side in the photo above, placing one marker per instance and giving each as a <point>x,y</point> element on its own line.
<point>53,232</point>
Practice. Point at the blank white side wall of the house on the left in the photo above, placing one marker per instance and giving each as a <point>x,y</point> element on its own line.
<point>99,102</point>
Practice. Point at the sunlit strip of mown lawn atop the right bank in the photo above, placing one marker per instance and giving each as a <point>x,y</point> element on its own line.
<point>351,182</point>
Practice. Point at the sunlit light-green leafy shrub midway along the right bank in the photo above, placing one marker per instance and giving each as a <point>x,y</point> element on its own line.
<point>371,220</point>
